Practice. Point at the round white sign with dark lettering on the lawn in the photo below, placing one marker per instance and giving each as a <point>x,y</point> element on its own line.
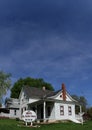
<point>29,116</point>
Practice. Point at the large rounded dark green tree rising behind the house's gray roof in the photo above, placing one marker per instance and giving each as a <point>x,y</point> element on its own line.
<point>39,83</point>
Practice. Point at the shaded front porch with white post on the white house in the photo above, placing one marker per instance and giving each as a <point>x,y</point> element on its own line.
<point>43,109</point>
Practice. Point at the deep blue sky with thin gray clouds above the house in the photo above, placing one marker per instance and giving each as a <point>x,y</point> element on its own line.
<point>49,39</point>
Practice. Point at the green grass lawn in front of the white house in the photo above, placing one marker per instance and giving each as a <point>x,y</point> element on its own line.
<point>7,124</point>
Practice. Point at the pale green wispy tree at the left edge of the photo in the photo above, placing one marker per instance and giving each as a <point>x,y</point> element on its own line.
<point>5,83</point>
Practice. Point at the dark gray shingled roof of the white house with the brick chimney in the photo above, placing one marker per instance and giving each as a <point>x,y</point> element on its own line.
<point>38,93</point>
